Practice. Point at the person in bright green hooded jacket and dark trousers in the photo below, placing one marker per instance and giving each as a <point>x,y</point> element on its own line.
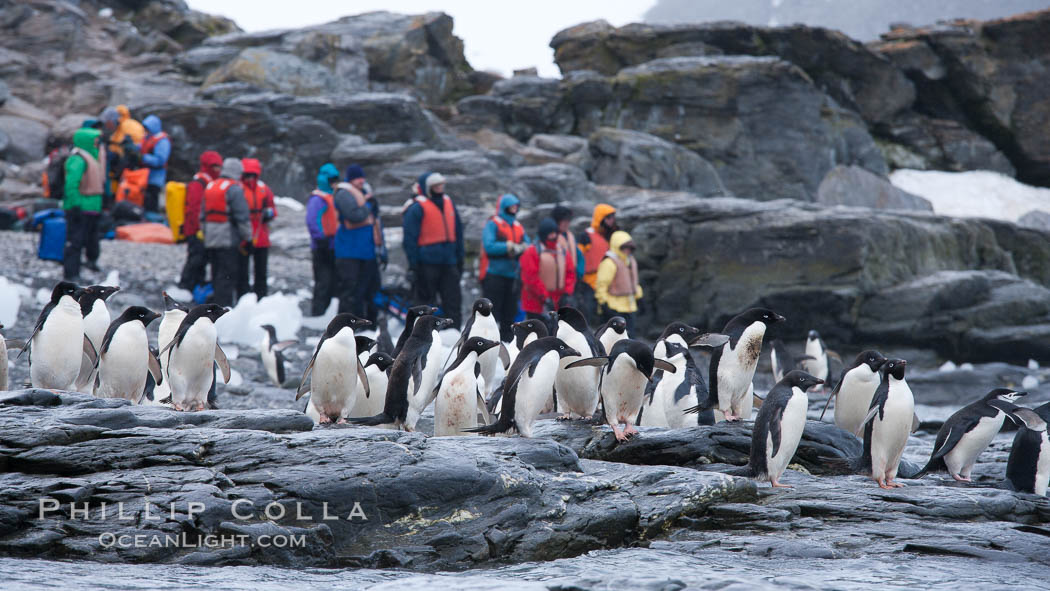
<point>85,177</point>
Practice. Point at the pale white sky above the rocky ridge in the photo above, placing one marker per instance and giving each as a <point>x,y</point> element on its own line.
<point>497,36</point>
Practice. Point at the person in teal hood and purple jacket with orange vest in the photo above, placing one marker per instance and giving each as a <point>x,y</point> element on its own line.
<point>323,222</point>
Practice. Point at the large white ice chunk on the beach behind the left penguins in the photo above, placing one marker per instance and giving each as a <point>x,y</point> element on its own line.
<point>243,325</point>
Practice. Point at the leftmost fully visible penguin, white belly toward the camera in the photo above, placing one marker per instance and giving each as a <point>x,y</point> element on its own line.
<point>58,347</point>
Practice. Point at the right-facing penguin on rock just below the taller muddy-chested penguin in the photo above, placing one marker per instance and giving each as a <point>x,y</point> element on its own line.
<point>780,427</point>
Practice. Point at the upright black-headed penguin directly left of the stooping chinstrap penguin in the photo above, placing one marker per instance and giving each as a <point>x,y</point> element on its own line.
<point>888,425</point>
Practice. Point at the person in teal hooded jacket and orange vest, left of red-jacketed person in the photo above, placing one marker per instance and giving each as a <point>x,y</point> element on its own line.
<point>502,242</point>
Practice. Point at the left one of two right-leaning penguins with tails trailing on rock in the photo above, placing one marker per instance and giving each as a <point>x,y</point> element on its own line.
<point>413,376</point>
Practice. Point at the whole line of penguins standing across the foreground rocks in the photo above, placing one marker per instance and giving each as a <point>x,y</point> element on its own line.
<point>555,364</point>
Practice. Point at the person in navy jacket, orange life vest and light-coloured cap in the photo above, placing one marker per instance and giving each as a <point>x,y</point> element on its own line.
<point>434,246</point>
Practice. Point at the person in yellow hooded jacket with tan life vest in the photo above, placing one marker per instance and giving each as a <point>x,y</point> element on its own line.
<point>617,287</point>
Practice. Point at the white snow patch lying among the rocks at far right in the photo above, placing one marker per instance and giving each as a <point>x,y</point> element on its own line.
<point>977,194</point>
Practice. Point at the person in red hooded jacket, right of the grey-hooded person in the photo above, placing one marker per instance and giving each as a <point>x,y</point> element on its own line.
<point>262,212</point>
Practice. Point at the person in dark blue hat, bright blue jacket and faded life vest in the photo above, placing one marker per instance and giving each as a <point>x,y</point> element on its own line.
<point>360,248</point>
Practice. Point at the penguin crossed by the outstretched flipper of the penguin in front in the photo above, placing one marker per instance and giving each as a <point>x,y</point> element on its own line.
<point>577,389</point>
